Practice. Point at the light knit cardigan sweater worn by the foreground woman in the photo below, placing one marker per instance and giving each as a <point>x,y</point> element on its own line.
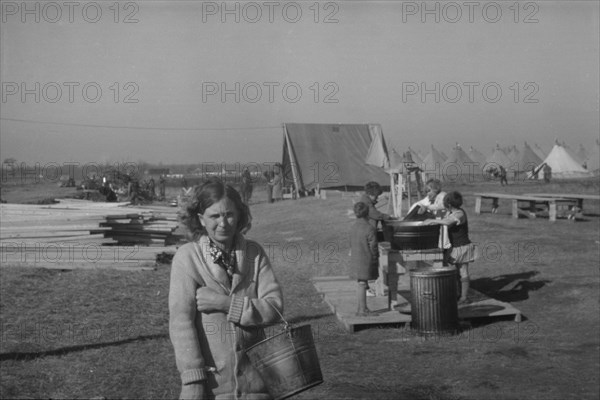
<point>209,347</point>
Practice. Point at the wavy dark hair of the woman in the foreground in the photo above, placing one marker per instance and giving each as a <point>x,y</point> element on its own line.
<point>204,196</point>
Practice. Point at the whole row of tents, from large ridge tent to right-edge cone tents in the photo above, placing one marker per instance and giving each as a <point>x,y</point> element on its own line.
<point>346,156</point>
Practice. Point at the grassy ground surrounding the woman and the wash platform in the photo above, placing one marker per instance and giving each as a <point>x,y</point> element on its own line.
<point>103,333</point>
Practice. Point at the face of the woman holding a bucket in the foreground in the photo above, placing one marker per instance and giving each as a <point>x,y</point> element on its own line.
<point>220,221</point>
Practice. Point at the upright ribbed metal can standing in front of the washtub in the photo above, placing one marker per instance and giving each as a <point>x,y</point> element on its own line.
<point>434,308</point>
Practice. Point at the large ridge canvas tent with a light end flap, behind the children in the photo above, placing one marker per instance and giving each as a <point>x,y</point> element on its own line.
<point>334,156</point>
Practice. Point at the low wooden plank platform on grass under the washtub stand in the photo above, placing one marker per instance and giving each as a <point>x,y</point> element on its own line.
<point>339,292</point>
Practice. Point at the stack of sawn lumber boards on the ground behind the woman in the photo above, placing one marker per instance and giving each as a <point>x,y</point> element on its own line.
<point>83,234</point>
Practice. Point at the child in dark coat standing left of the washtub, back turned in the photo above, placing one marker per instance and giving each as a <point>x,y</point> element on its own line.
<point>364,255</point>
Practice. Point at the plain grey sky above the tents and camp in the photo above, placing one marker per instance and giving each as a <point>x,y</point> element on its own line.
<point>502,72</point>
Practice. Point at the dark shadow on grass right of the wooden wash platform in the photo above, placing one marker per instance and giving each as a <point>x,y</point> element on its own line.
<point>509,288</point>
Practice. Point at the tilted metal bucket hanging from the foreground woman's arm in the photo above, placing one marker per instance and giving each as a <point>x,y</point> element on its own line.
<point>287,362</point>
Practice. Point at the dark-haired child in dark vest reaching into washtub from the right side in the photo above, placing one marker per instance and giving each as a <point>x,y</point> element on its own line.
<point>463,251</point>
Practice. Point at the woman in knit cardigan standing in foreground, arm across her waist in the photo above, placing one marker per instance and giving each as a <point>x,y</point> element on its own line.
<point>223,292</point>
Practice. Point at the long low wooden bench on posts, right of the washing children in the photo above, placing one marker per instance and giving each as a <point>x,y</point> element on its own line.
<point>533,201</point>
